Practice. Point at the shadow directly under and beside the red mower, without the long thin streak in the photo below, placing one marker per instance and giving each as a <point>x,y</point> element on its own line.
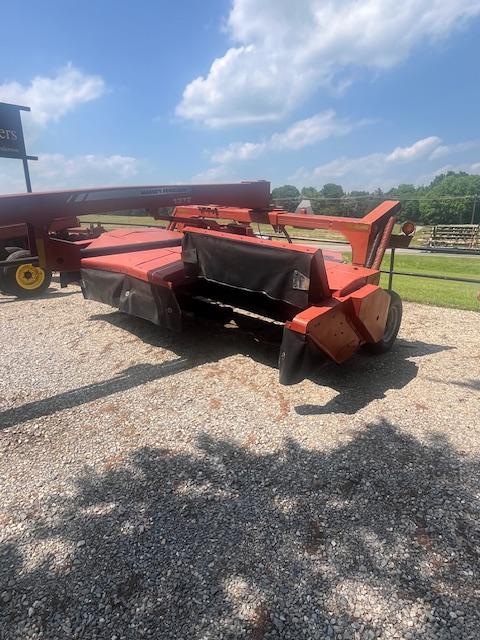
<point>359,381</point>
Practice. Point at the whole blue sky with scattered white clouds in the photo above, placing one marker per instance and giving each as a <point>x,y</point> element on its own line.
<point>367,94</point>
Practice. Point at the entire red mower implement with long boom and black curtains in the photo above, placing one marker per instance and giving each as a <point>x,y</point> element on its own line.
<point>208,252</point>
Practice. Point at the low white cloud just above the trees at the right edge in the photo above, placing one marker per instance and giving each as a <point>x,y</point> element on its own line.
<point>385,169</point>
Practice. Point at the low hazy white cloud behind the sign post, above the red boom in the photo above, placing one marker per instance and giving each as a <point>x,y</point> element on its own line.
<point>55,171</point>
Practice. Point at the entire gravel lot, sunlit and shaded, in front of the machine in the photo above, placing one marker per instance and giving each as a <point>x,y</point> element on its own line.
<point>166,486</point>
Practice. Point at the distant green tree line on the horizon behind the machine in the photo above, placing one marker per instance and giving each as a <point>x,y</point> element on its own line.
<point>451,198</point>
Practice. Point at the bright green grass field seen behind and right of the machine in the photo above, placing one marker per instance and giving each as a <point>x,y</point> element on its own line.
<point>426,291</point>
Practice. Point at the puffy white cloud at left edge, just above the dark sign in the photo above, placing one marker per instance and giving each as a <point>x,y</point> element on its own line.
<point>50,98</point>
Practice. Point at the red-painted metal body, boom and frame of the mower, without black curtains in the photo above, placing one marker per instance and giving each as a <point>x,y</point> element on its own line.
<point>348,310</point>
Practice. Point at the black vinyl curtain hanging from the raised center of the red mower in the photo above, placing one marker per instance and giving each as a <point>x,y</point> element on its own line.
<point>278,272</point>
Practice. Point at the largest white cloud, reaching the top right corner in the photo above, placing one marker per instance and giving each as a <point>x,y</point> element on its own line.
<point>284,51</point>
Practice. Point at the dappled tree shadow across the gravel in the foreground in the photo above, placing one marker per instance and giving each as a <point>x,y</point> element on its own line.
<point>377,537</point>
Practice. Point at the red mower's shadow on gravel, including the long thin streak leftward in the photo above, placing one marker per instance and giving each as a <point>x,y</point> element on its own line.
<point>361,380</point>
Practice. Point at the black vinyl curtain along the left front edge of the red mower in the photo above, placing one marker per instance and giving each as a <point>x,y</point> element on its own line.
<point>132,296</point>
